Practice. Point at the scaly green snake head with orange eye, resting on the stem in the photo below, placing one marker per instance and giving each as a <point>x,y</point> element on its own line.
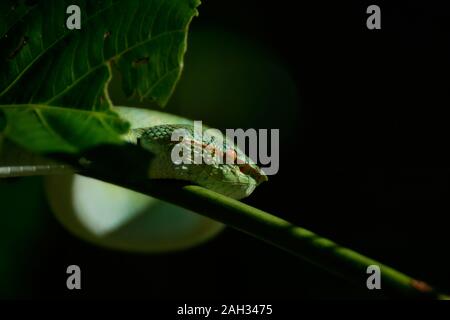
<point>236,180</point>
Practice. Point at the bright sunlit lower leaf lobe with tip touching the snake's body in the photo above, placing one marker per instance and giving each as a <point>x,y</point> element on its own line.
<point>55,129</point>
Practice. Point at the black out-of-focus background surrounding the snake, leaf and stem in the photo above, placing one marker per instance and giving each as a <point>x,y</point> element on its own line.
<point>363,157</point>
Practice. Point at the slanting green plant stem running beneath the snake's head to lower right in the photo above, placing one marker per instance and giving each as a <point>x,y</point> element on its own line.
<point>283,234</point>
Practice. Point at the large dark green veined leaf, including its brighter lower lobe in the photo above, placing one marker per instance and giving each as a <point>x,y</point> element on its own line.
<point>53,81</point>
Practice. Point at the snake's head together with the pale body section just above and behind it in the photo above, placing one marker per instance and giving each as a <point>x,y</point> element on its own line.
<point>236,180</point>
